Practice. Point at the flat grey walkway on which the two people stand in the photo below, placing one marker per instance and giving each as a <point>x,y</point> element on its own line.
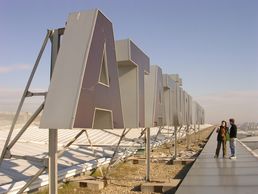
<point>222,176</point>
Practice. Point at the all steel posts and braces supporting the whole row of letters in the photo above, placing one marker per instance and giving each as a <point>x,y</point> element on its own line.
<point>54,36</point>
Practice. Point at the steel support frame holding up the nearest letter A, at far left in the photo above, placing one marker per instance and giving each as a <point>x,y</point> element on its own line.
<point>54,36</point>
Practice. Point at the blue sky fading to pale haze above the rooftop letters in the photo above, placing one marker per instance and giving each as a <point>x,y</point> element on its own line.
<point>212,44</point>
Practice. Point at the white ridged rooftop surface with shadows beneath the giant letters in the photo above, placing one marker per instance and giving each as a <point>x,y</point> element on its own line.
<point>78,158</point>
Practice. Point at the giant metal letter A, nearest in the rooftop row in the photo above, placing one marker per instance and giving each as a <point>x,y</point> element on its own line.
<point>84,90</point>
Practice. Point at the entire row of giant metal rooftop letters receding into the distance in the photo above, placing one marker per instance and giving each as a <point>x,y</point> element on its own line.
<point>101,83</point>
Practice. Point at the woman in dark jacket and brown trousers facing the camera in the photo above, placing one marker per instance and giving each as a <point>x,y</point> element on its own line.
<point>222,139</point>
